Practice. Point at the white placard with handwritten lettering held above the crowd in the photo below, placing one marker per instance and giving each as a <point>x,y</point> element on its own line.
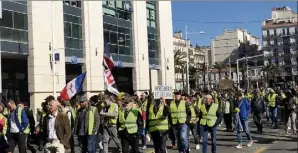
<point>163,91</point>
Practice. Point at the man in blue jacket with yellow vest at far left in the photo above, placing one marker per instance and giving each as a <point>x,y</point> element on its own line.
<point>18,128</point>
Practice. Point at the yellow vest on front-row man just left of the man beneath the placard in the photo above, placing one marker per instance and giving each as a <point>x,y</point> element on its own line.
<point>130,123</point>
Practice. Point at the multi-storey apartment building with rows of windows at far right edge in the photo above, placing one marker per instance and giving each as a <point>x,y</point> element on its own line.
<point>280,42</point>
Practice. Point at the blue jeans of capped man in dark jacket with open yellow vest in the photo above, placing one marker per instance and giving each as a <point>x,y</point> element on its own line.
<point>88,143</point>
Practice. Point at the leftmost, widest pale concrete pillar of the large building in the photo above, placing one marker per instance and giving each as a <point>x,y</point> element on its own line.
<point>41,32</point>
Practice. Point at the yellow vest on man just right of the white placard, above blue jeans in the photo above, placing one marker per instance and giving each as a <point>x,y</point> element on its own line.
<point>178,114</point>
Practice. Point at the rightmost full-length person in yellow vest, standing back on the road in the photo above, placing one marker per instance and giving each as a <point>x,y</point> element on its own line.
<point>272,100</point>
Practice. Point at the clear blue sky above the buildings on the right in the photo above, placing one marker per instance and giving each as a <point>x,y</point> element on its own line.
<point>194,15</point>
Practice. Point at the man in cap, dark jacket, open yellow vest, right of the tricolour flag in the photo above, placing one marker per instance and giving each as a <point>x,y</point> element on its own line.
<point>86,125</point>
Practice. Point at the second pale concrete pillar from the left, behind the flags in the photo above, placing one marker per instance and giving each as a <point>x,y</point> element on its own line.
<point>93,42</point>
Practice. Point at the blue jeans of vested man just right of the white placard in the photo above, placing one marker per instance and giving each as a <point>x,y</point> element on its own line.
<point>181,134</point>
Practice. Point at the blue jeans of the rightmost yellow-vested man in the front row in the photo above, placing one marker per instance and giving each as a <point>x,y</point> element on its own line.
<point>205,130</point>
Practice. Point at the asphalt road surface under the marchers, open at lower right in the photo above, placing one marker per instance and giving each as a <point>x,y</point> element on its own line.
<point>271,141</point>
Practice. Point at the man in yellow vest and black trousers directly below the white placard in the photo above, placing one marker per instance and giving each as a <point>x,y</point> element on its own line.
<point>157,123</point>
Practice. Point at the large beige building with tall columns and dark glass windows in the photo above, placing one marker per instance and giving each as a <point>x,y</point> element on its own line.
<point>138,33</point>
